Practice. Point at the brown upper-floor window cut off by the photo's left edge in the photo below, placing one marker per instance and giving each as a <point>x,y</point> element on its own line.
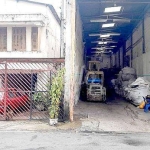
<point>3,38</point>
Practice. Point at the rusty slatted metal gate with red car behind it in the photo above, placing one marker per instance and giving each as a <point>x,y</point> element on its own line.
<point>24,86</point>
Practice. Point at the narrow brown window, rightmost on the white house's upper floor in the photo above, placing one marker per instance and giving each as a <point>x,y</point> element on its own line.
<point>34,38</point>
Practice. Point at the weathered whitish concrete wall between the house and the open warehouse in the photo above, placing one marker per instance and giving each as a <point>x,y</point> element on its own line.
<point>73,57</point>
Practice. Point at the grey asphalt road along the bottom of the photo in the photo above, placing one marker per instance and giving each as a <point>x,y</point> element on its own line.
<point>71,140</point>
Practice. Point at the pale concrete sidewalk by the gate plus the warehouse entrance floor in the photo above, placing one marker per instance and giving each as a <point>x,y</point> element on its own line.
<point>117,116</point>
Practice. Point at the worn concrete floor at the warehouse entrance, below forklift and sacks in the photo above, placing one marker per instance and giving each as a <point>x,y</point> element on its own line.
<point>117,115</point>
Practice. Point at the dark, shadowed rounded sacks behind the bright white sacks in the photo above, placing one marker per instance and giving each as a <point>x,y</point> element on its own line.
<point>126,76</point>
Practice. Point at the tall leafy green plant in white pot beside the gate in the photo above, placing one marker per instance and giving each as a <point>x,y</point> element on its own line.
<point>55,94</point>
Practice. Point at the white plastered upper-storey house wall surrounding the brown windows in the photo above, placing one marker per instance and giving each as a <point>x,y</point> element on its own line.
<point>49,40</point>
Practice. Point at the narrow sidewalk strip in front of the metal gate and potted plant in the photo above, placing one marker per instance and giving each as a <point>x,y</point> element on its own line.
<point>36,125</point>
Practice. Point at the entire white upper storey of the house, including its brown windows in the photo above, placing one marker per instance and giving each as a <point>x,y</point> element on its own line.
<point>28,30</point>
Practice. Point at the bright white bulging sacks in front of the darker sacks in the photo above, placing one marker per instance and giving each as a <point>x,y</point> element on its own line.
<point>137,90</point>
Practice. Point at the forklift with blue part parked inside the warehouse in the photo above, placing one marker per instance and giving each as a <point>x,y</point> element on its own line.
<point>94,80</point>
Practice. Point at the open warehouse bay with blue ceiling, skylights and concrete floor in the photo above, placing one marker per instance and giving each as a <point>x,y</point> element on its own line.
<point>115,35</point>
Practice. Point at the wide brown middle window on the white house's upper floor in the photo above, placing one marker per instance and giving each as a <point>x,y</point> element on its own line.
<point>18,38</point>
